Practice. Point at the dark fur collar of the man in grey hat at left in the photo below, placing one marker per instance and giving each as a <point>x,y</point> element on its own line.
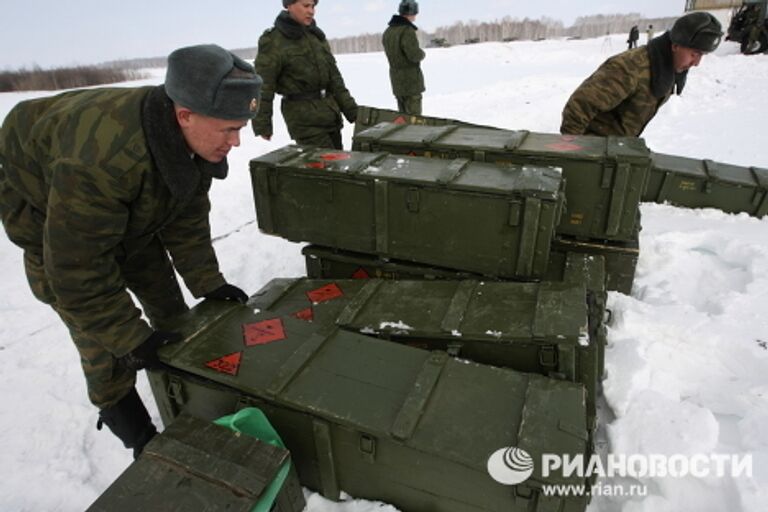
<point>170,154</point>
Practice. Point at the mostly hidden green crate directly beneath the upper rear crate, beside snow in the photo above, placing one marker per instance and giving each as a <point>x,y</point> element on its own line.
<point>620,259</point>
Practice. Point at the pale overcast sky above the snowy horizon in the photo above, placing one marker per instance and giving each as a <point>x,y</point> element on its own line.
<point>57,33</point>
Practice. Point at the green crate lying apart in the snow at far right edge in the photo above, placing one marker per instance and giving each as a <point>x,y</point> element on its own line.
<point>706,184</point>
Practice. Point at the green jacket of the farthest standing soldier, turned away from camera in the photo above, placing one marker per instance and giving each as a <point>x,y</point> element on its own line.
<point>404,55</point>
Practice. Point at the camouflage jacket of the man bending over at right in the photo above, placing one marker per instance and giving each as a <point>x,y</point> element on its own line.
<point>618,99</point>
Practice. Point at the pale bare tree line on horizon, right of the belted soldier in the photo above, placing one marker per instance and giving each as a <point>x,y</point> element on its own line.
<point>511,29</point>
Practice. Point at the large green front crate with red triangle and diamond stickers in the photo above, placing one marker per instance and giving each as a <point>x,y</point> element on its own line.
<point>375,419</point>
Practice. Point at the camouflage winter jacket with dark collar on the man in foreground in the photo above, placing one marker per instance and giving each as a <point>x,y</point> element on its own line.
<point>88,179</point>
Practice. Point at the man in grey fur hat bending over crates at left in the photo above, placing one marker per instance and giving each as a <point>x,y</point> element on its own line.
<point>98,187</point>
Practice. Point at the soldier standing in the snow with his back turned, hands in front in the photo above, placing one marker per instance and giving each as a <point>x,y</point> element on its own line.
<point>405,56</point>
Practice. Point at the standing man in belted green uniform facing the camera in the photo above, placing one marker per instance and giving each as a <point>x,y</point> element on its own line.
<point>295,61</point>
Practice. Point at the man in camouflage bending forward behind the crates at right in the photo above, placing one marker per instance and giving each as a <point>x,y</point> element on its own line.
<point>626,91</point>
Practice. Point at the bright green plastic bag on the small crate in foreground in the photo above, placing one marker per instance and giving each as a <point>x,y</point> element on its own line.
<point>251,421</point>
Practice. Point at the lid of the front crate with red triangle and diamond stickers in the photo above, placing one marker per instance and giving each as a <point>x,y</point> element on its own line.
<point>454,409</point>
